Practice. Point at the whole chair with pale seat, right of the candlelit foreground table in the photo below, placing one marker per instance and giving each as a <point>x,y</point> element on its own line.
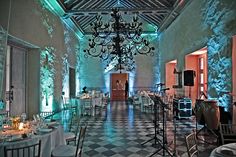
<point>71,151</point>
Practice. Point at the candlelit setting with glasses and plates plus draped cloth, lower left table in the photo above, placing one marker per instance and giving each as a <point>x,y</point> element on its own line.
<point>18,131</point>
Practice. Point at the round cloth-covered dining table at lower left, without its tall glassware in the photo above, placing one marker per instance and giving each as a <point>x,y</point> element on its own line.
<point>50,137</point>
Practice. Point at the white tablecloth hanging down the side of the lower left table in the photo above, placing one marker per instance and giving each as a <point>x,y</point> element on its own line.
<point>48,141</point>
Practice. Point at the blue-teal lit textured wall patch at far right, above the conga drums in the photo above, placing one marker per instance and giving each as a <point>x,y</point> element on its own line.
<point>219,60</point>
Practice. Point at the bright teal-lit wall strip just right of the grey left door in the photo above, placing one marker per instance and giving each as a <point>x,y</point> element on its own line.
<point>47,73</point>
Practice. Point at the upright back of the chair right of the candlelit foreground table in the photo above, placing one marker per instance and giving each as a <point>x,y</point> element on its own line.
<point>80,141</point>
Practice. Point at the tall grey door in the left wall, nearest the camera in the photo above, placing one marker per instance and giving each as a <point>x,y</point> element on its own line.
<point>15,83</point>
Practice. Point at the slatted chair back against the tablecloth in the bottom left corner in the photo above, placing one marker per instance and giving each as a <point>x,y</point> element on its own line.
<point>29,150</point>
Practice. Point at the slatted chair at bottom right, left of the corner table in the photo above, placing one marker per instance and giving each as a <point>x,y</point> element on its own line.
<point>191,144</point>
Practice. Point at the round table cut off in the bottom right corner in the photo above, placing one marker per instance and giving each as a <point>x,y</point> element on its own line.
<point>227,150</point>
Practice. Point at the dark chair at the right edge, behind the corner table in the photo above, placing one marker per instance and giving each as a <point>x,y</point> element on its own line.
<point>227,133</point>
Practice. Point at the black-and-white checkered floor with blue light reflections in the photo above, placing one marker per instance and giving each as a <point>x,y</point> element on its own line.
<point>121,130</point>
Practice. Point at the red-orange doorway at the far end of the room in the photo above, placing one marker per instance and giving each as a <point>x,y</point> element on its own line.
<point>117,84</point>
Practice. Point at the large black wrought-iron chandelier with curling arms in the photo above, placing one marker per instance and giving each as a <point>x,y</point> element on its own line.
<point>118,40</point>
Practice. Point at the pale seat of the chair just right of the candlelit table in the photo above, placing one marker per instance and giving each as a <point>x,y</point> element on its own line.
<point>64,151</point>
